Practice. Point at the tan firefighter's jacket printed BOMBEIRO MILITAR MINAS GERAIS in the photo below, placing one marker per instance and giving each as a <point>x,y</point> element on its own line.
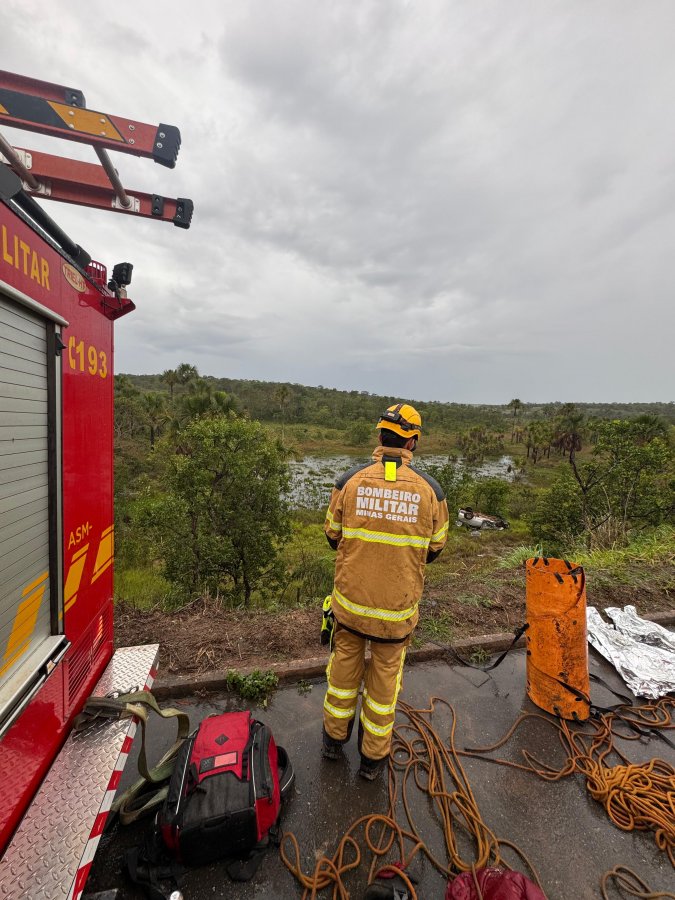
<point>385,517</point>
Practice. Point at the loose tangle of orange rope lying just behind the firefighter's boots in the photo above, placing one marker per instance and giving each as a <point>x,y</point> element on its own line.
<point>418,754</point>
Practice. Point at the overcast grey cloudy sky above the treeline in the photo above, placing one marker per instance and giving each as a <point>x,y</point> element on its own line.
<point>439,199</point>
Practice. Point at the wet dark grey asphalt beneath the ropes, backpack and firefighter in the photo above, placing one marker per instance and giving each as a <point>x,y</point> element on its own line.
<point>564,832</point>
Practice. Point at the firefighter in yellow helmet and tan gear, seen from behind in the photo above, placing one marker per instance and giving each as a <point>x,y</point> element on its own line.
<point>386,520</point>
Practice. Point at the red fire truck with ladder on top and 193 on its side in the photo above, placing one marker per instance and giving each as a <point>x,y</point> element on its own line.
<point>57,309</point>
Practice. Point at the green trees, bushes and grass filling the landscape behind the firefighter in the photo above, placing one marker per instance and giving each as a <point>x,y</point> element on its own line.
<point>202,481</point>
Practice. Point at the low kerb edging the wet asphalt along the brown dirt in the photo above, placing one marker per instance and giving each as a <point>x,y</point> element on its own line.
<point>315,667</point>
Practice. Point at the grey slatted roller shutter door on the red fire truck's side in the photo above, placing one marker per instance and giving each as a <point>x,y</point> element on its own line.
<point>25,612</point>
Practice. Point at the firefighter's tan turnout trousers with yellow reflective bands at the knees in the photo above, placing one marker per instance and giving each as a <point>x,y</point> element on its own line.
<point>382,679</point>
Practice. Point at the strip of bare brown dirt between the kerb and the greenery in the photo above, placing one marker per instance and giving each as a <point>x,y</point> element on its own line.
<point>205,637</point>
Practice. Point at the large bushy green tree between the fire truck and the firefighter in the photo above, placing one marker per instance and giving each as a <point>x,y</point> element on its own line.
<point>222,519</point>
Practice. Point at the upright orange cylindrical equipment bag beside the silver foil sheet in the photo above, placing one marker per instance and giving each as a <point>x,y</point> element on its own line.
<point>557,648</point>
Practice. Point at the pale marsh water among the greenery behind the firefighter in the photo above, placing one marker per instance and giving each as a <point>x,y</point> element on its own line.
<point>312,477</point>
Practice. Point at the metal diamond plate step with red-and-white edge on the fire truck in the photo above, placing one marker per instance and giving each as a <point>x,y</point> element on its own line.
<point>53,848</point>
